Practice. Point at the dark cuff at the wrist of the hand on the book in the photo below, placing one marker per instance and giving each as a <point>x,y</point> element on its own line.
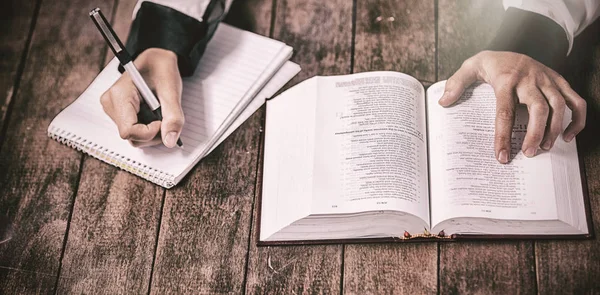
<point>534,35</point>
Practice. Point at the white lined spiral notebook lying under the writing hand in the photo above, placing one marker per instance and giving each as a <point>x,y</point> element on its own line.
<point>238,72</point>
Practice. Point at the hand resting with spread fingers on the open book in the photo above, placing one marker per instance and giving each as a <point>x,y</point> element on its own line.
<point>517,78</point>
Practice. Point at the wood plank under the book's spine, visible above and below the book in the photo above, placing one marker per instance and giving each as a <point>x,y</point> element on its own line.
<point>405,43</point>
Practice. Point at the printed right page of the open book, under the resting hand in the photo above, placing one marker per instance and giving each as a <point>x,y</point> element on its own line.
<point>467,180</point>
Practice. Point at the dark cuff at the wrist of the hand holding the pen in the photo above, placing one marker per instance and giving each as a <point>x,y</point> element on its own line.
<point>158,26</point>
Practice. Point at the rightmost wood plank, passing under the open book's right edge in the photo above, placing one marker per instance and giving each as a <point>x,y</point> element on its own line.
<point>574,266</point>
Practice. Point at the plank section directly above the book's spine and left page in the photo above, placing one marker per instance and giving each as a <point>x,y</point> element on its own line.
<point>396,36</point>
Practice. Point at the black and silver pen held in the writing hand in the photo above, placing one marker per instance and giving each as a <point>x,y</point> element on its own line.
<point>127,62</point>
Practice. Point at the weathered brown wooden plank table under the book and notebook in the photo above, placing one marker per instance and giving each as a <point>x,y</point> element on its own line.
<point>82,226</point>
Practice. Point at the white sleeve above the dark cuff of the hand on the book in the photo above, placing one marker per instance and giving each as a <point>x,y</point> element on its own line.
<point>572,15</point>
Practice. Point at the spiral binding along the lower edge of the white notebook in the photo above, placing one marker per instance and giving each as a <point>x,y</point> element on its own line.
<point>83,145</point>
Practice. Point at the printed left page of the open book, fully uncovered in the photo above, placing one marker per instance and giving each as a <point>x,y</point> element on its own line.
<point>370,146</point>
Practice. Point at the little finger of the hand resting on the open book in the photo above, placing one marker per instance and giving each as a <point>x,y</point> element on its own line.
<point>577,105</point>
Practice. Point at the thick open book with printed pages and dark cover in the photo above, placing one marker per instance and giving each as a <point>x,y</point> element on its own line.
<point>373,155</point>
